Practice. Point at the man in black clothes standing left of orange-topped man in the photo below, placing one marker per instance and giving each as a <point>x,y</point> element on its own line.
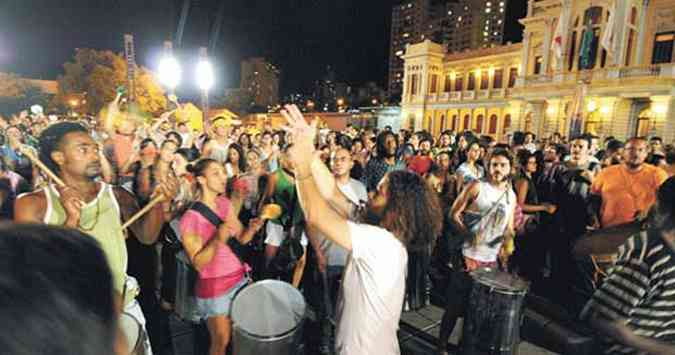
<point>571,188</point>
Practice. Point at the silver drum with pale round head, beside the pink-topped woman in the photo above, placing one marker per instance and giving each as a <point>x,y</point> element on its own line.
<point>275,327</point>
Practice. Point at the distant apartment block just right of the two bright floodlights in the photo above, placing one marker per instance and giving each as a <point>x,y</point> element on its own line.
<point>260,81</point>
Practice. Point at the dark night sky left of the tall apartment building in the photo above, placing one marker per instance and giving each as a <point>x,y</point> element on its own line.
<point>301,36</point>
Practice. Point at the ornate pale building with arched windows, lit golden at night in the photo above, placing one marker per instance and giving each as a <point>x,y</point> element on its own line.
<point>611,75</point>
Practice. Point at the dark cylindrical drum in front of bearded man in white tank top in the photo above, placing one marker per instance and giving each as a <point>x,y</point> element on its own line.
<point>494,313</point>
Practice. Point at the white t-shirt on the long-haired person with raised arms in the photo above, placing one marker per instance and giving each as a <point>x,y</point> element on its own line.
<point>371,297</point>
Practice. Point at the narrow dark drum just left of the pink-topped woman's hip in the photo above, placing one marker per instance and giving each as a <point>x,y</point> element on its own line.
<point>185,304</point>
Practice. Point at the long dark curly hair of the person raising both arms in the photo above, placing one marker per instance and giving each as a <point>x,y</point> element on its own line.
<point>413,211</point>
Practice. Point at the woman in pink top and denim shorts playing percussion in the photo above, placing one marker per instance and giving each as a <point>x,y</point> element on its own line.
<point>221,273</point>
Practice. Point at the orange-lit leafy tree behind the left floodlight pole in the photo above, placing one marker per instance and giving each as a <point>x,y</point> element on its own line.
<point>96,75</point>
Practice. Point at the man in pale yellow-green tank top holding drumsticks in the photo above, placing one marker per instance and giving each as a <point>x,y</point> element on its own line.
<point>96,208</point>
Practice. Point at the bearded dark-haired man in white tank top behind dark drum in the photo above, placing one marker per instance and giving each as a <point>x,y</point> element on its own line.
<point>484,210</point>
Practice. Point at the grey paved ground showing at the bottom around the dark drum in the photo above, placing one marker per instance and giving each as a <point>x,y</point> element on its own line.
<point>419,329</point>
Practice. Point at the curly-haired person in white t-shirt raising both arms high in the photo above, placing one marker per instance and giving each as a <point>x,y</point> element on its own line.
<point>373,286</point>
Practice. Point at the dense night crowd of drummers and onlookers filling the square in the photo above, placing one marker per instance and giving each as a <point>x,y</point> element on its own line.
<point>365,215</point>
